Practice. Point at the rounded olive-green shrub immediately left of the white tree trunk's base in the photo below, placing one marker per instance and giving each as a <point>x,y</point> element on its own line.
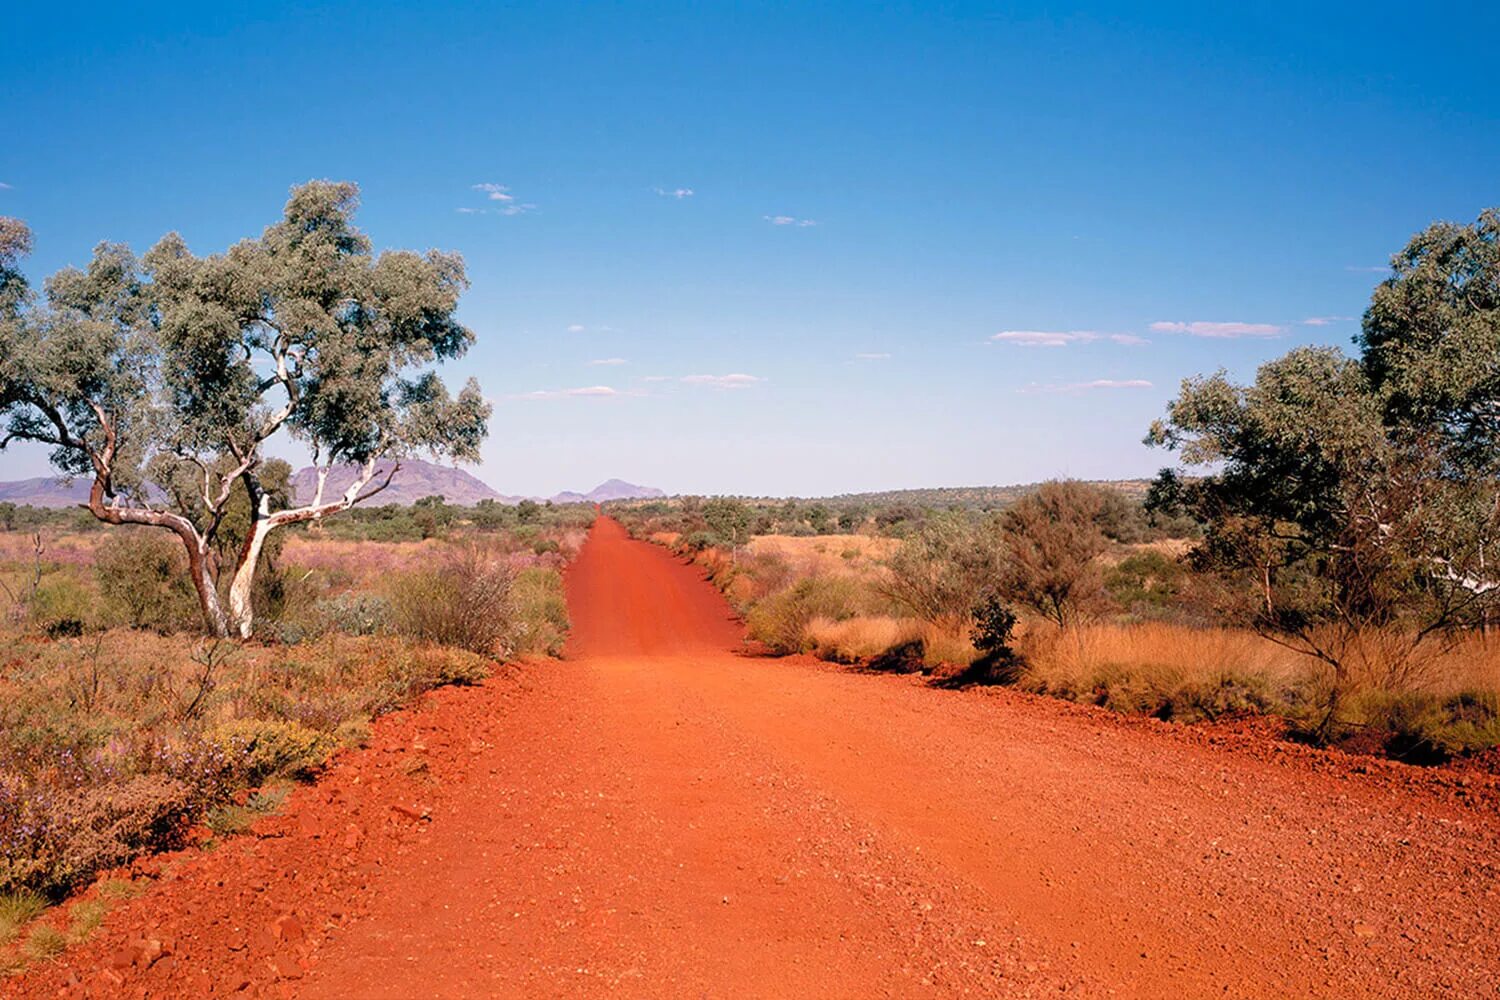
<point>143,581</point>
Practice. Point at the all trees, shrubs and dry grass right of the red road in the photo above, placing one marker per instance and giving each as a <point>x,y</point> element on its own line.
<point>1327,552</point>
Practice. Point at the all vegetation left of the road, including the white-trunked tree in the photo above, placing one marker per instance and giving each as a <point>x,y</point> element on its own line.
<point>197,635</point>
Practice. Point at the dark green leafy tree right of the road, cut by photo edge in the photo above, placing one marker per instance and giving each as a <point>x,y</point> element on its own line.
<point>1354,503</point>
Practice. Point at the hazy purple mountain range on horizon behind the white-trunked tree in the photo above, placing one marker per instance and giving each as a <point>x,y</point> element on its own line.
<point>415,481</point>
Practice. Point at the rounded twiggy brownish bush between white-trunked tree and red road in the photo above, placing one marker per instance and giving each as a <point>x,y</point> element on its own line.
<point>466,603</point>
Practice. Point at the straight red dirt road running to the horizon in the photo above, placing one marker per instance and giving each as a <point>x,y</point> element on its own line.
<point>659,816</point>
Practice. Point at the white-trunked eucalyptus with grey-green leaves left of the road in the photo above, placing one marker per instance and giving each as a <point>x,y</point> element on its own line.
<point>166,376</point>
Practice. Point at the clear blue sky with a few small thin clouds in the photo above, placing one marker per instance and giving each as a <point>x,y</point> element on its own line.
<point>1126,197</point>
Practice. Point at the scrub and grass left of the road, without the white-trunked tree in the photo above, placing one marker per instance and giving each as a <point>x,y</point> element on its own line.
<point>125,729</point>
